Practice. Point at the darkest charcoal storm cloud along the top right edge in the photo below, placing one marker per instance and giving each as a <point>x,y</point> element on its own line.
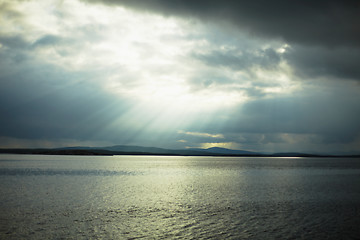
<point>321,22</point>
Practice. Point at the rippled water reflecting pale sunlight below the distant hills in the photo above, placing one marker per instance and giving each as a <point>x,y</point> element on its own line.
<point>162,197</point>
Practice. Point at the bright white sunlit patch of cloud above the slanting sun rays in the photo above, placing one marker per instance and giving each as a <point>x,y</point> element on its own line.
<point>145,56</point>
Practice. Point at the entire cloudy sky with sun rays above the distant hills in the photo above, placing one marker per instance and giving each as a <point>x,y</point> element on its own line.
<point>267,76</point>
